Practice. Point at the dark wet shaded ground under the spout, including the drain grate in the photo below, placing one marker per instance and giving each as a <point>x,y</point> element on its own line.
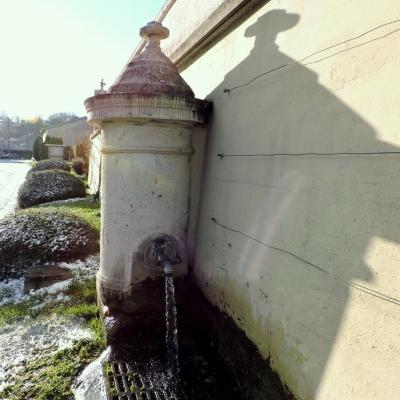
<point>216,360</point>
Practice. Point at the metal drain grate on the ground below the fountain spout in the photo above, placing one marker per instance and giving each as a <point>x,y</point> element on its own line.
<point>124,382</point>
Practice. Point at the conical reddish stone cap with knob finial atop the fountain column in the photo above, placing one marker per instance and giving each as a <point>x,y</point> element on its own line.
<point>151,72</point>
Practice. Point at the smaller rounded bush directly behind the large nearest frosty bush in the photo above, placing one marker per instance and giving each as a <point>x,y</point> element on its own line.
<point>45,186</point>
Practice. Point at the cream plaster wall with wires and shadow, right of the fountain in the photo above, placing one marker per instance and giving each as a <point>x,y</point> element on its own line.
<point>304,250</point>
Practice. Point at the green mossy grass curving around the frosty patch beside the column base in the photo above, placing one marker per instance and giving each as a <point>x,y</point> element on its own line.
<point>52,377</point>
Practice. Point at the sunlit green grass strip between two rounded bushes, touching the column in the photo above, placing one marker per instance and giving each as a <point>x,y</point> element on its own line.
<point>88,209</point>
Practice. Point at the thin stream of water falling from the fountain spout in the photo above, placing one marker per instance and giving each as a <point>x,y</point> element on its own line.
<point>171,336</point>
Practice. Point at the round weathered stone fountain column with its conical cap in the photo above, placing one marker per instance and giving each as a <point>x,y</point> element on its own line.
<point>146,120</point>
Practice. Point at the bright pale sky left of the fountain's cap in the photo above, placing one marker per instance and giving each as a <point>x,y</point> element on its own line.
<point>53,53</point>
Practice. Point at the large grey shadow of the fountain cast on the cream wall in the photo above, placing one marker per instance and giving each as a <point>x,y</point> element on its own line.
<point>284,233</point>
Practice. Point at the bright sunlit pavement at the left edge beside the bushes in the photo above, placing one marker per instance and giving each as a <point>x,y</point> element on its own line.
<point>12,175</point>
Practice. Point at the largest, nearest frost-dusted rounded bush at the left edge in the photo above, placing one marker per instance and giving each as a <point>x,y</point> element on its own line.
<point>34,236</point>
